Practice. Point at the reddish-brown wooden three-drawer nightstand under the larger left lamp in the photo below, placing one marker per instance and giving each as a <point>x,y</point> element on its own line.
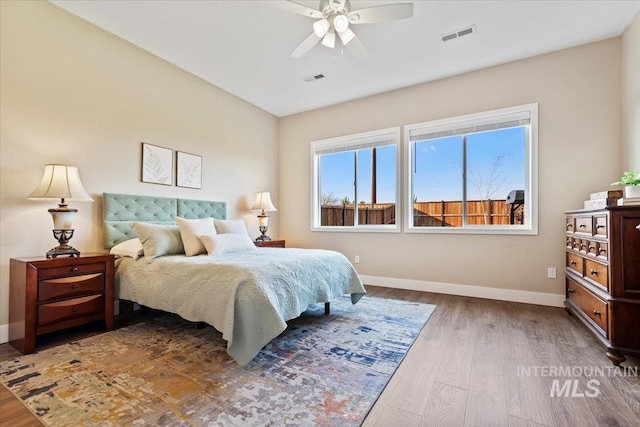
<point>47,295</point>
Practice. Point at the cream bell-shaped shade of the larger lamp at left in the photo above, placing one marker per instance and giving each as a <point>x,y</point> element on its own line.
<point>61,182</point>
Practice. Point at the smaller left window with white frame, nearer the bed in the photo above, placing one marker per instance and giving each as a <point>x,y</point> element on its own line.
<point>355,182</point>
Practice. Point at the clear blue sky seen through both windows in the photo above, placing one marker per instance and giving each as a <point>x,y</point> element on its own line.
<point>437,169</point>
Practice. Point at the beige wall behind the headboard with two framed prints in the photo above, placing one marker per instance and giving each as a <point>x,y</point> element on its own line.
<point>74,94</point>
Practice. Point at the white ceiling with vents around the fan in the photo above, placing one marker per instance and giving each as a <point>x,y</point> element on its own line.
<point>243,46</point>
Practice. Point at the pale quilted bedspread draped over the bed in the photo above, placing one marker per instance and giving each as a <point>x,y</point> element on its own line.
<point>248,296</point>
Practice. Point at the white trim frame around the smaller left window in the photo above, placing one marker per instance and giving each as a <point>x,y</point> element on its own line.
<point>324,144</point>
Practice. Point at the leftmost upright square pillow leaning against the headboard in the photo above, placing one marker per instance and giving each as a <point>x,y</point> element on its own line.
<point>158,239</point>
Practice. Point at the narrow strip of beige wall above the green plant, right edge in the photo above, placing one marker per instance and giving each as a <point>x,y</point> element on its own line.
<point>631,96</point>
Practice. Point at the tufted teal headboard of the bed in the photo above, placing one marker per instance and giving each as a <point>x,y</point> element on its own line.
<point>120,210</point>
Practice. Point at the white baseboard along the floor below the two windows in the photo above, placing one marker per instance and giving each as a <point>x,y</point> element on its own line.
<point>539,298</point>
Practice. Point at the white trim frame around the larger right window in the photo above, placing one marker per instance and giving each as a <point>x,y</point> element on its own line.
<point>531,176</point>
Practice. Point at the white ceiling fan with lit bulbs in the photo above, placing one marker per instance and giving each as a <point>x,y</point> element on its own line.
<point>334,17</point>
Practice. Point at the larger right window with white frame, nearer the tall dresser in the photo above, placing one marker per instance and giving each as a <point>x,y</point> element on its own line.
<point>474,173</point>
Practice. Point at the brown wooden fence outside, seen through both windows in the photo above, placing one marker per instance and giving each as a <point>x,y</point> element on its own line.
<point>426,214</point>
